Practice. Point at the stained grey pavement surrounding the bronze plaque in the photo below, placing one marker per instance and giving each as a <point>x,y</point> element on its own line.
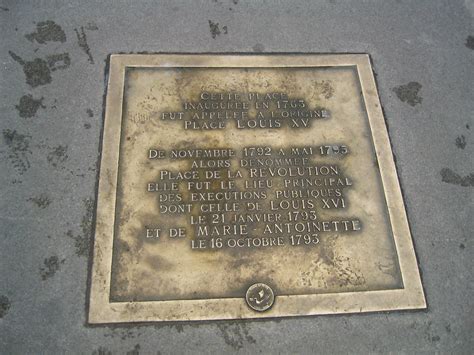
<point>53,58</point>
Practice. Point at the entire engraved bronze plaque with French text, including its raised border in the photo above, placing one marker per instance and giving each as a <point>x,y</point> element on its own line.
<point>247,186</point>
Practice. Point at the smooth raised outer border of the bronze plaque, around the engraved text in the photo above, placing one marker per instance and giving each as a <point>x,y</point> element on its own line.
<point>101,310</point>
